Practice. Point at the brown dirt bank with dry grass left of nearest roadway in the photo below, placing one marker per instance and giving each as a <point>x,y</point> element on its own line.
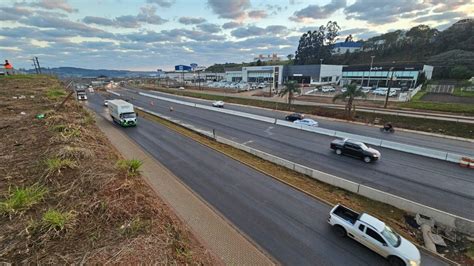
<point>103,214</point>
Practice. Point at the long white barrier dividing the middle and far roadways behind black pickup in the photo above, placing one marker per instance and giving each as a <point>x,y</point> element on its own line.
<point>426,152</point>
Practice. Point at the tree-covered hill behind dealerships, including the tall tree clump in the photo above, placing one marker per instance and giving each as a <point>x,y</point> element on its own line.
<point>450,51</point>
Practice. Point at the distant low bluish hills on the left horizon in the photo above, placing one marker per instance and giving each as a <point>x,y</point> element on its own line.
<point>83,72</point>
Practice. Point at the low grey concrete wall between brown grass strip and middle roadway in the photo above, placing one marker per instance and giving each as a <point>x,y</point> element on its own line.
<point>458,223</point>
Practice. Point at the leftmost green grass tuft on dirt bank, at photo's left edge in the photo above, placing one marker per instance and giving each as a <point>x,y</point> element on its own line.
<point>21,199</point>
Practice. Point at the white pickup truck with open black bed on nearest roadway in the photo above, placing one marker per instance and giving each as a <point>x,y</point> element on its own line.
<point>374,234</point>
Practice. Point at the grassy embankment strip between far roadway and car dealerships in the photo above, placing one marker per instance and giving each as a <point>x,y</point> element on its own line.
<point>420,124</point>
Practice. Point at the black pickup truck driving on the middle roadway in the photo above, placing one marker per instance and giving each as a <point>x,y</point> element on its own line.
<point>355,149</point>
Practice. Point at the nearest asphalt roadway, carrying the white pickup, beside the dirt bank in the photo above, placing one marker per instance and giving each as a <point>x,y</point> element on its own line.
<point>289,225</point>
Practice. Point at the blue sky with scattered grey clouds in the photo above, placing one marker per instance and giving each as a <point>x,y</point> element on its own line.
<point>151,34</point>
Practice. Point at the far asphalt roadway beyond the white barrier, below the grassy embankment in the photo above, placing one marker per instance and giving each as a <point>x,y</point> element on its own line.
<point>422,140</point>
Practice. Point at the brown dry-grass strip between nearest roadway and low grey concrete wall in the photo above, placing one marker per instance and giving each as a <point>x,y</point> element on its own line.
<point>329,194</point>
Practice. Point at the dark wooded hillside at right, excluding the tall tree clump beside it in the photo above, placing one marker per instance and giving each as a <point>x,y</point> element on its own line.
<point>442,49</point>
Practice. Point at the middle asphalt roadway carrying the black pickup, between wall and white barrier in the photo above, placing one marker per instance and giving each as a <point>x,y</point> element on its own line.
<point>438,184</point>
